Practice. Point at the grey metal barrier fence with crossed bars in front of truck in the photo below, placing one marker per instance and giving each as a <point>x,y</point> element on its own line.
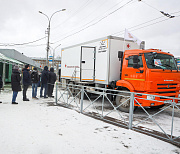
<point>161,123</point>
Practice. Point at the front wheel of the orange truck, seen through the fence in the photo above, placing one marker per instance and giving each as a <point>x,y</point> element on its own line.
<point>121,99</point>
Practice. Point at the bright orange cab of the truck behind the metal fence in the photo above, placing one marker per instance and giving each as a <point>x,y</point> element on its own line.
<point>150,72</point>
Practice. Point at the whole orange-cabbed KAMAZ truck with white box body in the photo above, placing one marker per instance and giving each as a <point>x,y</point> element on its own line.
<point>102,63</point>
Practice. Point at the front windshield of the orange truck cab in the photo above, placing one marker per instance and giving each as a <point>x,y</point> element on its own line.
<point>160,61</point>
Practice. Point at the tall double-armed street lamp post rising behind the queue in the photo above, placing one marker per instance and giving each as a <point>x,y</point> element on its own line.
<point>48,30</point>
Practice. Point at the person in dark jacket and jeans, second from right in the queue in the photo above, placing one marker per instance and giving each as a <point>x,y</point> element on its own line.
<point>44,82</point>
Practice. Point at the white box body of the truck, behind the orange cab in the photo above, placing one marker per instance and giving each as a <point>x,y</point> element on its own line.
<point>95,61</point>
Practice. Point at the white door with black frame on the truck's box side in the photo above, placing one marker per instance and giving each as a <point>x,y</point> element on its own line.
<point>87,63</point>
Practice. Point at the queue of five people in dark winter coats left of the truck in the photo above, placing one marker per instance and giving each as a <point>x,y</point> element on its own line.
<point>47,80</point>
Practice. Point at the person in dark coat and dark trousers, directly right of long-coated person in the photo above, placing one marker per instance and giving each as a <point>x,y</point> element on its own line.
<point>26,81</point>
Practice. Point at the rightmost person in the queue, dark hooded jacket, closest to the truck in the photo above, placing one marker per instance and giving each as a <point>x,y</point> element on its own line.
<point>52,80</point>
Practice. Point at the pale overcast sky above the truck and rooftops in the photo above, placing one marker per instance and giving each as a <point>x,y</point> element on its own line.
<point>84,20</point>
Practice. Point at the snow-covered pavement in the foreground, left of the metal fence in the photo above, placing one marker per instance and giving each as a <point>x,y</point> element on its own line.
<point>35,127</point>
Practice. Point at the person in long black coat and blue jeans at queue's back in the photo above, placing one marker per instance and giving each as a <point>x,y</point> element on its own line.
<point>15,83</point>
